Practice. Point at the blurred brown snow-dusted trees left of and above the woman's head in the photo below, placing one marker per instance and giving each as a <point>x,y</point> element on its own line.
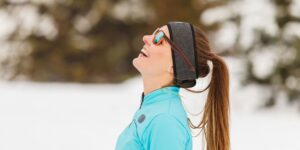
<point>84,41</point>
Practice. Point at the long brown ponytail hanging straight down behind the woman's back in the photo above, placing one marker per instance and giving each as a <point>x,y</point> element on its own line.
<point>216,112</point>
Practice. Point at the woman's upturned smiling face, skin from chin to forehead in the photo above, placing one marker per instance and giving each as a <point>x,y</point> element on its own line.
<point>159,57</point>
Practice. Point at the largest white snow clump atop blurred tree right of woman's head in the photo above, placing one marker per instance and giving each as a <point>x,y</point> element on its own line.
<point>254,15</point>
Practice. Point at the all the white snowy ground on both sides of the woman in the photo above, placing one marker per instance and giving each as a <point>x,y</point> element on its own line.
<point>37,116</point>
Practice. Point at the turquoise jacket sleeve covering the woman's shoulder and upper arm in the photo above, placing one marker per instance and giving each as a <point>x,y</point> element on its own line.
<point>165,132</point>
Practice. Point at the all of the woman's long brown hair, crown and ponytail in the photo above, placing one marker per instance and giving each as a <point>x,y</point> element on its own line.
<point>215,119</point>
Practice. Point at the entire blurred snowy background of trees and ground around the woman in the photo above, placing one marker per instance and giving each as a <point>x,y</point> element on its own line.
<point>67,82</point>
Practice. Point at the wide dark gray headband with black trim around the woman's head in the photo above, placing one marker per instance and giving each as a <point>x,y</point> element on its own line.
<point>182,34</point>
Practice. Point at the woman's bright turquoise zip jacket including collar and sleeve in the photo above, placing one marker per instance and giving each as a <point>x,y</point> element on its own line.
<point>159,124</point>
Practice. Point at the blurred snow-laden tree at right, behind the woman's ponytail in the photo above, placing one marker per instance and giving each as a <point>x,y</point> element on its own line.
<point>265,34</point>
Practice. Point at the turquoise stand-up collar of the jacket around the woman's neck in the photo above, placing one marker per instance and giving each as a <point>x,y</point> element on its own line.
<point>151,97</point>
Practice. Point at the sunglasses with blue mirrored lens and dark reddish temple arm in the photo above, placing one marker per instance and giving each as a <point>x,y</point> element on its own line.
<point>158,38</point>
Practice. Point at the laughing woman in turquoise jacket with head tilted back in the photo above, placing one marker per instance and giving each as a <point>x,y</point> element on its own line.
<point>173,57</point>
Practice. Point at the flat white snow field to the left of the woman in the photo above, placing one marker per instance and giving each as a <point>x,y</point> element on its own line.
<point>57,116</point>
